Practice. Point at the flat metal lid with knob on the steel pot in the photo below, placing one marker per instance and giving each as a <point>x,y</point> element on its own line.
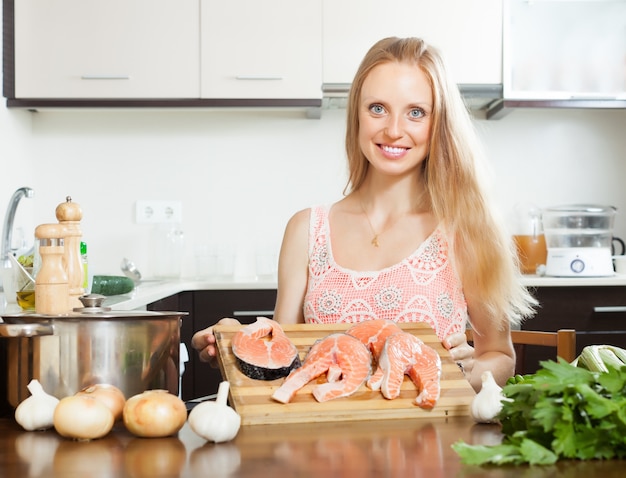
<point>92,309</point>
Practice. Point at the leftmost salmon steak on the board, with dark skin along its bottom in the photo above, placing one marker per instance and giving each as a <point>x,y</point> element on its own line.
<point>263,350</point>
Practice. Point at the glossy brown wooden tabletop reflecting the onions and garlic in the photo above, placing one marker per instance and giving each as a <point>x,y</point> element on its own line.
<point>390,448</point>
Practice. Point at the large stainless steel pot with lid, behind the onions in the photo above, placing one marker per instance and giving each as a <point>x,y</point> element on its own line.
<point>133,350</point>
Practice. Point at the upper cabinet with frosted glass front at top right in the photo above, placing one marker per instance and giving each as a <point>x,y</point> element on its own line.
<point>563,54</point>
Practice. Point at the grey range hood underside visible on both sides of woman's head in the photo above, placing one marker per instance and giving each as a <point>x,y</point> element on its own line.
<point>477,97</point>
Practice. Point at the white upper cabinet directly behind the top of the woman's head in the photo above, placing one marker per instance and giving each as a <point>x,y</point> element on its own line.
<point>468,33</point>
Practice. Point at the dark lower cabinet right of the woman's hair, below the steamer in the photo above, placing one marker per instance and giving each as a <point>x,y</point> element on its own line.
<point>597,313</point>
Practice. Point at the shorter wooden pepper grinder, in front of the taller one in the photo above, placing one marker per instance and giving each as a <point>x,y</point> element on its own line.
<point>51,285</point>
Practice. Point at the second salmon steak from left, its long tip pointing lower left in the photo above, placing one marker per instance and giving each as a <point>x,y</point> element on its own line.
<point>345,360</point>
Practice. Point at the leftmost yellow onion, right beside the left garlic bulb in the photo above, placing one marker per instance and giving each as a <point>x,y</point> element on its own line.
<point>82,417</point>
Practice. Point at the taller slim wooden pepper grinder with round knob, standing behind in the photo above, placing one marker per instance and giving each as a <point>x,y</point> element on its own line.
<point>69,215</point>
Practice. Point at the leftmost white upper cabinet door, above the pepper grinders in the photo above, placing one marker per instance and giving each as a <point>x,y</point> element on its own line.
<point>107,48</point>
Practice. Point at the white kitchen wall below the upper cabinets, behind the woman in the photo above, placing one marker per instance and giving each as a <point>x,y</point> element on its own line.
<point>241,174</point>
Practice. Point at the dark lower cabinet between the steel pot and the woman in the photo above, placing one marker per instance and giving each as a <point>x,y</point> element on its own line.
<point>205,308</point>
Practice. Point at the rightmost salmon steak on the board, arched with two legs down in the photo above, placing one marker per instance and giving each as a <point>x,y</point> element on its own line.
<point>405,354</point>
